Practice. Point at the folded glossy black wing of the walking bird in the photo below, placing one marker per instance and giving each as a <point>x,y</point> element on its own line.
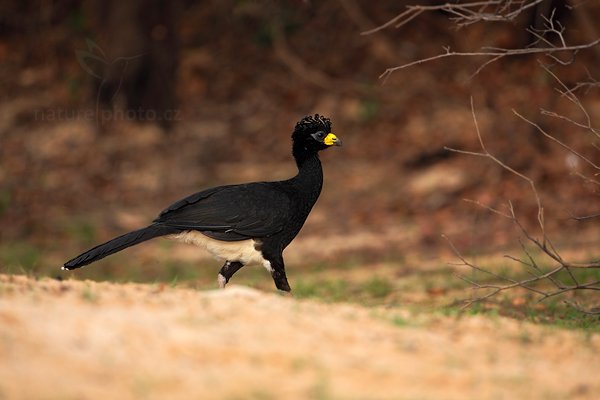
<point>235,212</point>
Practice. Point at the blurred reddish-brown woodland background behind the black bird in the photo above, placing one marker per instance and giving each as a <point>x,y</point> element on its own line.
<point>111,110</point>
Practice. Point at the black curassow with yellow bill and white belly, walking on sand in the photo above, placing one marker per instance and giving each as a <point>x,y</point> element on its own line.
<point>241,224</point>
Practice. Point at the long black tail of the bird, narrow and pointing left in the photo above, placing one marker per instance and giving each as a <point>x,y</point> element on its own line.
<point>118,244</point>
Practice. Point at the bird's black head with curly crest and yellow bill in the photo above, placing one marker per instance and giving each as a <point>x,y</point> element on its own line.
<point>313,134</point>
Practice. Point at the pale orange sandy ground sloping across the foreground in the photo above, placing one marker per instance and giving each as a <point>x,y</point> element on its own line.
<point>87,340</point>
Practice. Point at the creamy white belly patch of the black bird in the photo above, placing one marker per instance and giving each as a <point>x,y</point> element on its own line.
<point>243,251</point>
